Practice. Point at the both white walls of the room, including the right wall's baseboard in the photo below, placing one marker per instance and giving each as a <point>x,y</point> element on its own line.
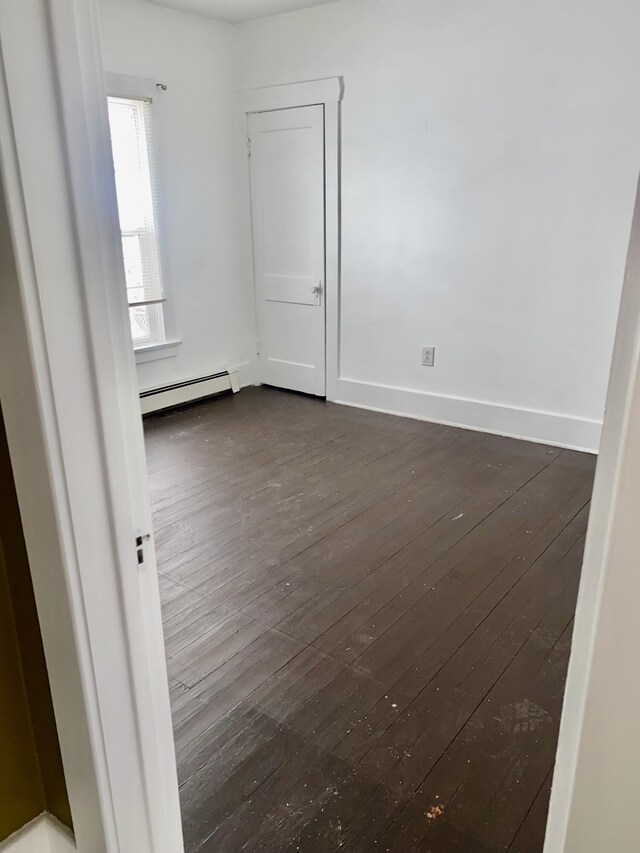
<point>489,158</point>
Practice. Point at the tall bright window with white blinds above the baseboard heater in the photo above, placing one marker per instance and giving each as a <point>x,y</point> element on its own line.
<point>129,122</point>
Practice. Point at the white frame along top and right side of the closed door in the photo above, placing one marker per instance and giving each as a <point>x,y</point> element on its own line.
<point>328,93</point>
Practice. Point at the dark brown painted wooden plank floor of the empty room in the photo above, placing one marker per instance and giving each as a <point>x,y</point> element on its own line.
<point>367,625</point>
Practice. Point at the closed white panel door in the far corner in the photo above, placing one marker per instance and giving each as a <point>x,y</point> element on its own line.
<point>287,204</point>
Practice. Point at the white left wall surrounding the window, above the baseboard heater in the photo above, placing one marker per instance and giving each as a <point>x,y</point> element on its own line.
<point>205,262</point>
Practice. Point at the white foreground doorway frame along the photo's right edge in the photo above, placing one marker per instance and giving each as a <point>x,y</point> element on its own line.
<point>594,797</point>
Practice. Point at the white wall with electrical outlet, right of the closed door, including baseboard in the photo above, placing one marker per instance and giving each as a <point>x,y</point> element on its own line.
<point>489,158</point>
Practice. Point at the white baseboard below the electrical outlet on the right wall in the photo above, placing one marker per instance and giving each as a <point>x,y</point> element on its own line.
<point>560,430</point>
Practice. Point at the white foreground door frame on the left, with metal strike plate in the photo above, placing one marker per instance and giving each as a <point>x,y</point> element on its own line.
<point>70,402</point>
